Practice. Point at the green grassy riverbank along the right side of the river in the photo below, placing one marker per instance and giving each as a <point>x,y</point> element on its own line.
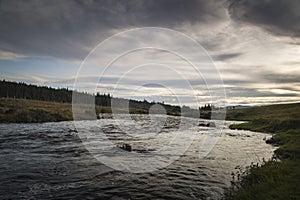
<point>274,179</point>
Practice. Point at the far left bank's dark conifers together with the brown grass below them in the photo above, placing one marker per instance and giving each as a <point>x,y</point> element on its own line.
<point>12,91</point>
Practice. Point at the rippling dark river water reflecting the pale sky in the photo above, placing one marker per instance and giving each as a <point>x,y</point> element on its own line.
<point>50,160</point>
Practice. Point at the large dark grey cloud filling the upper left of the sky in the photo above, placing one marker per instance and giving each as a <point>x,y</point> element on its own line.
<point>69,29</point>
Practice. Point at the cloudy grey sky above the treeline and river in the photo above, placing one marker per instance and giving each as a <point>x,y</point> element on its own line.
<point>252,47</point>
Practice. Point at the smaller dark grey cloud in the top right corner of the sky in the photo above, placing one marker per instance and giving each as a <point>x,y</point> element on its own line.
<point>280,17</point>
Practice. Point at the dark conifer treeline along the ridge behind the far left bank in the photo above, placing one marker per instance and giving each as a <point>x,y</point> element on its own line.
<point>16,90</point>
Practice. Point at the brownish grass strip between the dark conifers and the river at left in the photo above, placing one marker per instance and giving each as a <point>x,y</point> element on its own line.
<point>34,111</point>
